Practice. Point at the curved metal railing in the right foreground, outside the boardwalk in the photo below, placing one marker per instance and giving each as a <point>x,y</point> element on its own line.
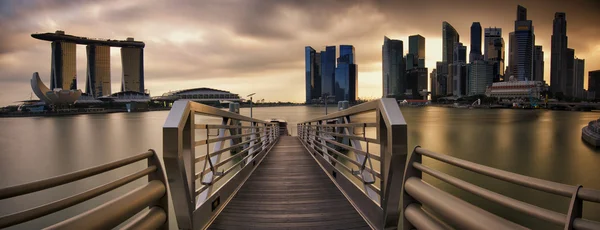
<point>459,213</point>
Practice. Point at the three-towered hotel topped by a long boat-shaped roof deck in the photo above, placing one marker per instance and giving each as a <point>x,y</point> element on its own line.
<point>63,67</point>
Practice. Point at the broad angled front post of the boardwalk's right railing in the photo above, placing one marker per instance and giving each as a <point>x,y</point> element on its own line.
<point>392,133</point>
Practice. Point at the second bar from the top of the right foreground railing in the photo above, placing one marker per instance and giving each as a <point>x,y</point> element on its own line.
<point>532,210</point>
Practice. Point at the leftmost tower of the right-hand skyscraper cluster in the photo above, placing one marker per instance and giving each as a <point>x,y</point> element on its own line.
<point>394,80</point>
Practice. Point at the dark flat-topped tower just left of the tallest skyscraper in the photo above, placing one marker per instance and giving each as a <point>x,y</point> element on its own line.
<point>494,51</point>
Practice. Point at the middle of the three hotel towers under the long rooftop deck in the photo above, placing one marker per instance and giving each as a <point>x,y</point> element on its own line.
<point>98,70</point>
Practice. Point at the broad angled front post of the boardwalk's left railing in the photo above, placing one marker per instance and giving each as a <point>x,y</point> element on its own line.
<point>178,156</point>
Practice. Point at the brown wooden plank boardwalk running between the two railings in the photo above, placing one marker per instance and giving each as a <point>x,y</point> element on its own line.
<point>289,191</point>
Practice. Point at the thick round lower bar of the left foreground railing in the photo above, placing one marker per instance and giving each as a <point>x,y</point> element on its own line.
<point>113,213</point>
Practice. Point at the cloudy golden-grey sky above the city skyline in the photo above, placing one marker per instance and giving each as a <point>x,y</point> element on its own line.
<point>257,46</point>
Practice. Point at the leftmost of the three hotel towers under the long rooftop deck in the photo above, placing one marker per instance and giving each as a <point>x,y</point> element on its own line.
<point>64,66</point>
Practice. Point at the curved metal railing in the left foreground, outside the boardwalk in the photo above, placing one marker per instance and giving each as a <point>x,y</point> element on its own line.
<point>152,195</point>
